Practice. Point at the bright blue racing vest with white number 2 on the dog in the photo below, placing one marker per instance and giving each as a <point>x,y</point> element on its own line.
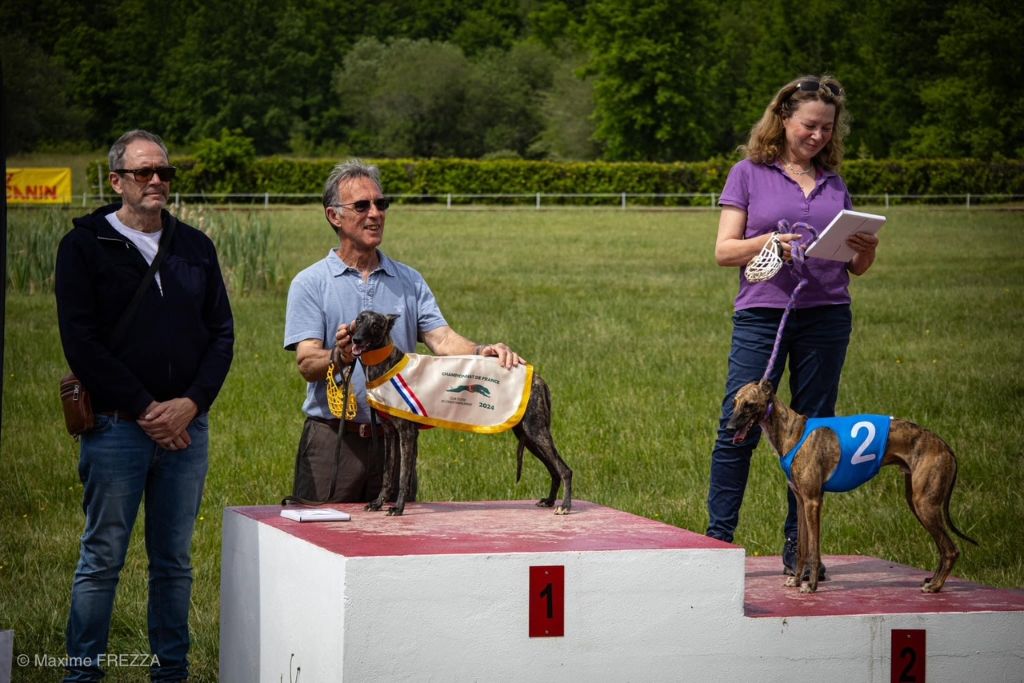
<point>863,441</point>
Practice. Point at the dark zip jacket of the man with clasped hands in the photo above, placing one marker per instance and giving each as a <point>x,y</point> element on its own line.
<point>178,345</point>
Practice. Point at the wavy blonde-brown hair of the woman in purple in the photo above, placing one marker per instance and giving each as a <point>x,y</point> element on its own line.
<point>767,141</point>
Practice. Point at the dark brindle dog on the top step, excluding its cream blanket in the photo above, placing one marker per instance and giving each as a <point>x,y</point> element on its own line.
<point>372,331</point>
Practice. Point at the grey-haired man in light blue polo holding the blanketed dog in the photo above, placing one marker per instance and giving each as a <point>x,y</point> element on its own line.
<point>336,459</point>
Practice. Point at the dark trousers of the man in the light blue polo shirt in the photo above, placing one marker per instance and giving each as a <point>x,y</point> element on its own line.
<point>352,472</point>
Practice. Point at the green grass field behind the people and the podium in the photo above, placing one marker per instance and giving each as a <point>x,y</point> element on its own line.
<point>628,319</point>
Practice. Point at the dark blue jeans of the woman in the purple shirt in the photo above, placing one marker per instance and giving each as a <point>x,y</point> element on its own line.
<point>815,343</point>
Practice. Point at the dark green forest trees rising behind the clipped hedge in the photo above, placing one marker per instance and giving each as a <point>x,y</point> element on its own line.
<point>613,80</point>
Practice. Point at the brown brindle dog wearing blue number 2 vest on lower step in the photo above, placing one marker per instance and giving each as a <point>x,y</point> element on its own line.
<point>814,456</point>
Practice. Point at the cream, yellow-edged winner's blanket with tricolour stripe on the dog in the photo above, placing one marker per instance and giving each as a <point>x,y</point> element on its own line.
<point>466,393</point>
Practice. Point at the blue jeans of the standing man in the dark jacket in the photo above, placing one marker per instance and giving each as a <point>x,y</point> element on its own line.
<point>119,465</point>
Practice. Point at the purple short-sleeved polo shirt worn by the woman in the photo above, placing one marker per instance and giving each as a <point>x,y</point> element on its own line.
<point>769,195</point>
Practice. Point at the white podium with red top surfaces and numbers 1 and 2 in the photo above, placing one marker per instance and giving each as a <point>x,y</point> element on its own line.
<point>508,591</point>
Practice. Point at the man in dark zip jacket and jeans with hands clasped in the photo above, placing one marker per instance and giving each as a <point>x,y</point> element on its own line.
<point>152,389</point>
